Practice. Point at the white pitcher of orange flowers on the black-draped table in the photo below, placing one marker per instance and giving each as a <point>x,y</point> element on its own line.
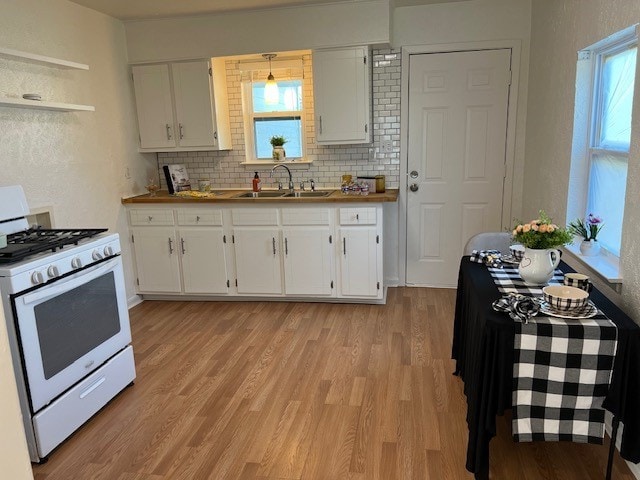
<point>540,238</point>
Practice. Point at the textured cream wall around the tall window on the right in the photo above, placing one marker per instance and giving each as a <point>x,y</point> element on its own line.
<point>559,30</point>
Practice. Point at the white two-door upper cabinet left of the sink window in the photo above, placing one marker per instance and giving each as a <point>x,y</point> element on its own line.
<point>182,106</point>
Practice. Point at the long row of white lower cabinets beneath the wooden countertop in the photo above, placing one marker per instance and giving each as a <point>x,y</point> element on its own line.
<point>312,251</point>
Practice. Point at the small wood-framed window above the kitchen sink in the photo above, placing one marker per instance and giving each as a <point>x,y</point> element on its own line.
<point>263,120</point>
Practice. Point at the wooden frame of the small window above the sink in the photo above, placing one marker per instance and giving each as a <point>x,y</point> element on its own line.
<point>249,116</point>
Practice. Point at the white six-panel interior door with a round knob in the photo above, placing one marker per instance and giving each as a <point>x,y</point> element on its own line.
<point>458,104</point>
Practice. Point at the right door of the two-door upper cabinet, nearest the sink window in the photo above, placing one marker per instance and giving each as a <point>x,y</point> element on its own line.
<point>192,93</point>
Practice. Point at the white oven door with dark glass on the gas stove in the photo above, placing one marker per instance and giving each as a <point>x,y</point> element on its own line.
<point>70,327</point>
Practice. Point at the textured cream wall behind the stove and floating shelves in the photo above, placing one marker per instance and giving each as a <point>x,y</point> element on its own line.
<point>72,162</point>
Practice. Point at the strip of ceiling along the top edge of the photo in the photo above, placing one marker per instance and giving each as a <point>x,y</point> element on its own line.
<point>142,9</point>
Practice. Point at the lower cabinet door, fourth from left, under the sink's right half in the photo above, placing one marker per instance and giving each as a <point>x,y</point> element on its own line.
<point>307,261</point>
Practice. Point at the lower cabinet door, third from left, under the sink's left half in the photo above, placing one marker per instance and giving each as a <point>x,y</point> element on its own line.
<point>258,260</point>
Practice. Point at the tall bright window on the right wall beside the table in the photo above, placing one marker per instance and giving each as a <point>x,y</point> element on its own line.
<point>609,80</point>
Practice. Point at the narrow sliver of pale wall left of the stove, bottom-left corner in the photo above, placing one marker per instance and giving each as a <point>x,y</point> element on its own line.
<point>13,446</point>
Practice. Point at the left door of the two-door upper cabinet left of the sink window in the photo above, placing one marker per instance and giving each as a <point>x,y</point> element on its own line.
<point>154,106</point>
